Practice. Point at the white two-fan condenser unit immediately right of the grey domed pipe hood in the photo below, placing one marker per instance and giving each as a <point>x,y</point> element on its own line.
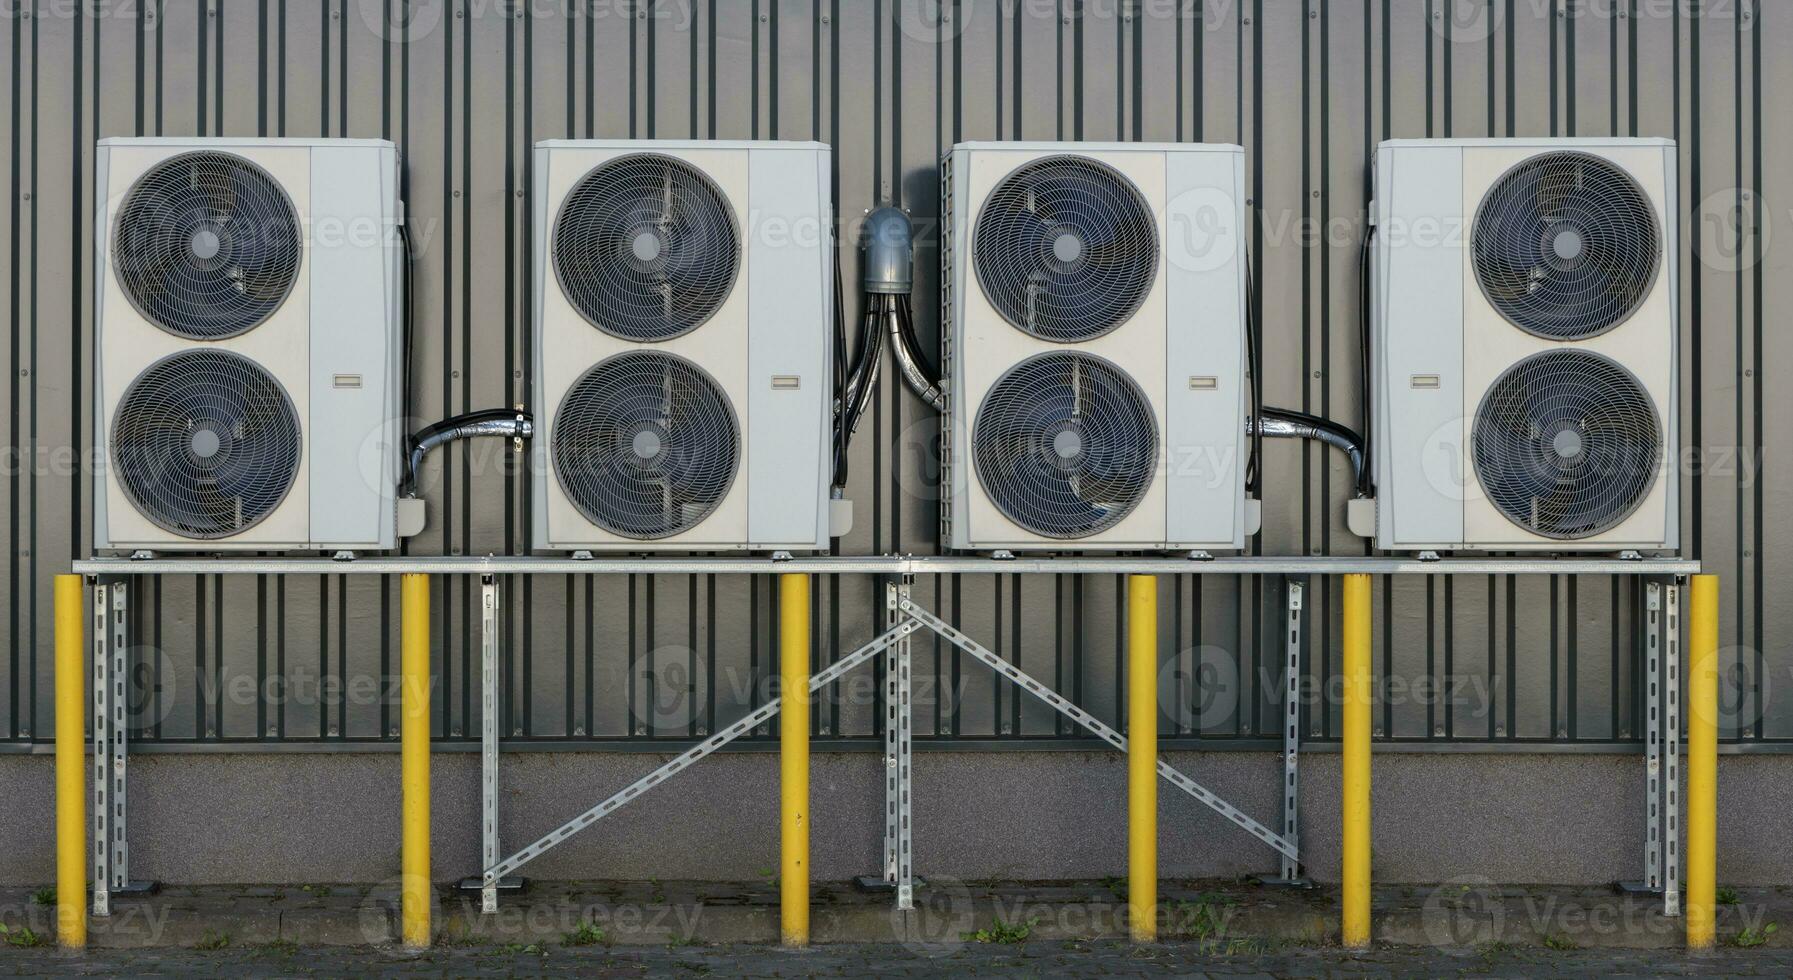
<point>1095,347</point>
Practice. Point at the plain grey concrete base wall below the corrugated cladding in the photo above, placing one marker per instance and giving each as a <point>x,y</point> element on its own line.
<point>978,816</point>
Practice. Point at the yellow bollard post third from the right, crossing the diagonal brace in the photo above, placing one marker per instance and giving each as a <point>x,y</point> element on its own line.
<point>1143,757</point>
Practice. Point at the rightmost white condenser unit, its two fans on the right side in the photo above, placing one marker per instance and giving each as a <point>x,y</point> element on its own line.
<point>1525,307</point>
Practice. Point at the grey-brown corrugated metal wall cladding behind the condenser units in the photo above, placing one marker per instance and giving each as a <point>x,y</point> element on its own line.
<point>467,87</point>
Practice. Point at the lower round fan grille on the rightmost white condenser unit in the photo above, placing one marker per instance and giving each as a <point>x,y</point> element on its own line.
<point>1566,443</point>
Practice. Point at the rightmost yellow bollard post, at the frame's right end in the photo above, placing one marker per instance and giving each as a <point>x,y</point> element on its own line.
<point>1702,764</point>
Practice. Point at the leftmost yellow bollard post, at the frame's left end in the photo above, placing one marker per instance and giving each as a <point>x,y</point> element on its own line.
<point>71,766</point>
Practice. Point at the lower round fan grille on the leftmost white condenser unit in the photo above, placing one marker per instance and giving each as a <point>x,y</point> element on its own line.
<point>205,443</point>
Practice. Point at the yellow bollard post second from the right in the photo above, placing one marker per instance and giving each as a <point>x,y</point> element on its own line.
<point>1355,852</point>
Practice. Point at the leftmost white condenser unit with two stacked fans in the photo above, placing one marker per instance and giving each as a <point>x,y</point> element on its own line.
<point>248,345</point>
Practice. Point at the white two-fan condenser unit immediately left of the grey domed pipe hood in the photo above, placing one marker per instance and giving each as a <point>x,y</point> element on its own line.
<point>684,318</point>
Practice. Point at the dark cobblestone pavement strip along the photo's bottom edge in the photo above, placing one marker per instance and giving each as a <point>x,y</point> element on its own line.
<point>1030,959</point>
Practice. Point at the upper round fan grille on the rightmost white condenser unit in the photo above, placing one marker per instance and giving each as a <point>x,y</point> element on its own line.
<point>1566,246</point>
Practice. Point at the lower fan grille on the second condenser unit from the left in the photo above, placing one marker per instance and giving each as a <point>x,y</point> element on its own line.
<point>646,445</point>
